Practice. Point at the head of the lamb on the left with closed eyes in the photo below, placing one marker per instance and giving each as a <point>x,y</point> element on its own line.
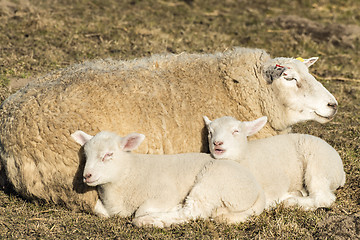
<point>106,153</point>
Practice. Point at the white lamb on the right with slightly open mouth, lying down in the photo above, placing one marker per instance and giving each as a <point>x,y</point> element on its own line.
<point>296,169</point>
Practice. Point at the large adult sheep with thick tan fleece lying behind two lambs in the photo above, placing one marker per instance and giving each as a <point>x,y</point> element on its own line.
<point>163,96</point>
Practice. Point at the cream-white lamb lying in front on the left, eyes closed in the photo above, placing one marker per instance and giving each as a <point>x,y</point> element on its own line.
<point>147,184</point>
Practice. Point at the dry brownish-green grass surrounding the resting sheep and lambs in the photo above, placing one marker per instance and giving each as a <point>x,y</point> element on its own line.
<point>39,36</point>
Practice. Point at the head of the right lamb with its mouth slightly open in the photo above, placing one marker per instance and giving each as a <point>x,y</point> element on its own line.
<point>228,136</point>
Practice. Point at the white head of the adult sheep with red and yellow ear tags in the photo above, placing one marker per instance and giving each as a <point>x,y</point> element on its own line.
<point>303,97</point>
